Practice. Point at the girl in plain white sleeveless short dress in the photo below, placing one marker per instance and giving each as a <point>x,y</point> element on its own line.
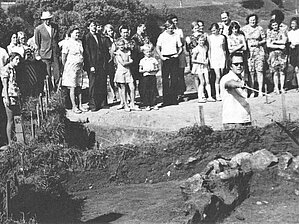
<point>217,55</point>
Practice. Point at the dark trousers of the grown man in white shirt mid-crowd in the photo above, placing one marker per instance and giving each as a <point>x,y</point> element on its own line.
<point>170,69</point>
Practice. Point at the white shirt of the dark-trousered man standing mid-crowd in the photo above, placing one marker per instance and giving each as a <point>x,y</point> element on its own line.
<point>169,43</point>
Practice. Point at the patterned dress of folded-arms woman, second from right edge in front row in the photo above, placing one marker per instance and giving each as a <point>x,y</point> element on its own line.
<point>277,58</point>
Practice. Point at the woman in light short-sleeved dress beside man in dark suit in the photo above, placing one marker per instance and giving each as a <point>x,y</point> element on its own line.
<point>72,59</point>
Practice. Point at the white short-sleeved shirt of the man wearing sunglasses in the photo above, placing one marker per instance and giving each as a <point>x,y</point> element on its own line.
<point>235,109</point>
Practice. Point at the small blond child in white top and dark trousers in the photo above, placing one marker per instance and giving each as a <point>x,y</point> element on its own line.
<point>149,67</point>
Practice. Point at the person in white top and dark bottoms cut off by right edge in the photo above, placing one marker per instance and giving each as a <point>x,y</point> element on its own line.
<point>293,37</point>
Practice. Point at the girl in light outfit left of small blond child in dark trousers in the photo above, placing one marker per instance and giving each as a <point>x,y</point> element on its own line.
<point>123,75</point>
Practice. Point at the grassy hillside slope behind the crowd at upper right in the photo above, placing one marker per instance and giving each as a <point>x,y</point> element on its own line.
<point>209,11</point>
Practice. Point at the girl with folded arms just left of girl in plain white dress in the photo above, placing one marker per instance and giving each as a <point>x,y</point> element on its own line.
<point>200,68</point>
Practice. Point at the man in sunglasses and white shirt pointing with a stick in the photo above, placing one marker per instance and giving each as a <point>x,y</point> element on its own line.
<point>235,110</point>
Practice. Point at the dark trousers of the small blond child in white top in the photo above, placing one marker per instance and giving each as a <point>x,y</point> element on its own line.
<point>149,85</point>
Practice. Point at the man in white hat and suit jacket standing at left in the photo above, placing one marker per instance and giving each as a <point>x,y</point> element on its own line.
<point>46,40</point>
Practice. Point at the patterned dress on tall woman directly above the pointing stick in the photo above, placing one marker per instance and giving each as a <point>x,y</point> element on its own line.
<point>256,53</point>
